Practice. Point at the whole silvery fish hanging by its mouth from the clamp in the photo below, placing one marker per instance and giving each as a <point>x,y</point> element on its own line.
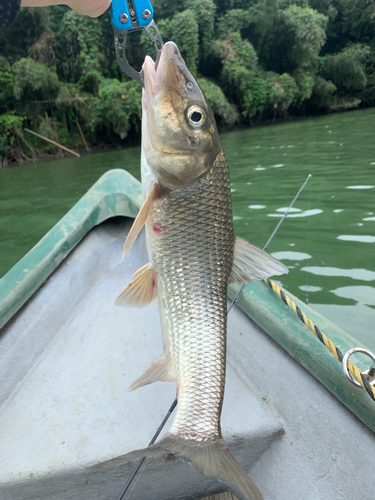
<point>194,254</point>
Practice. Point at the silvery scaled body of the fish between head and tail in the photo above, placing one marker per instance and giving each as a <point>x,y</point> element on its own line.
<point>192,294</point>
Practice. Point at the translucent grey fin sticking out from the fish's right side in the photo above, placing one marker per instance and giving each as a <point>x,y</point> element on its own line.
<point>251,264</point>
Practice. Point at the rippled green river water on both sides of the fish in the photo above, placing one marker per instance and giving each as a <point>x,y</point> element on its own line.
<point>327,240</point>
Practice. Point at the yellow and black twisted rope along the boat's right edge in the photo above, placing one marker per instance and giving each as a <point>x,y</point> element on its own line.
<point>354,370</point>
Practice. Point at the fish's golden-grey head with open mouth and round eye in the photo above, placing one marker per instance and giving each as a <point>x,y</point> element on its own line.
<point>179,133</point>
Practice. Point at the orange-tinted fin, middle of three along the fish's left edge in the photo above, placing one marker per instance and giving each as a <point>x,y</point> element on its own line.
<point>141,291</point>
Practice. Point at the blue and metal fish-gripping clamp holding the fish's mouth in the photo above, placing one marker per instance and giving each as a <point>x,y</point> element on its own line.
<point>132,15</point>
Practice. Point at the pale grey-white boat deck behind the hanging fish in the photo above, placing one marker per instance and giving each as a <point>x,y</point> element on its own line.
<point>69,354</point>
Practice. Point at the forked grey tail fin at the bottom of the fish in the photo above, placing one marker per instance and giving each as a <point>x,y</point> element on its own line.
<point>212,458</point>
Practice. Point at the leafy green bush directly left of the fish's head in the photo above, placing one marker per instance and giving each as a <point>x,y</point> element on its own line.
<point>117,106</point>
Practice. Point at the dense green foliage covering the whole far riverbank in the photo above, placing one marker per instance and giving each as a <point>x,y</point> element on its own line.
<point>255,60</point>
